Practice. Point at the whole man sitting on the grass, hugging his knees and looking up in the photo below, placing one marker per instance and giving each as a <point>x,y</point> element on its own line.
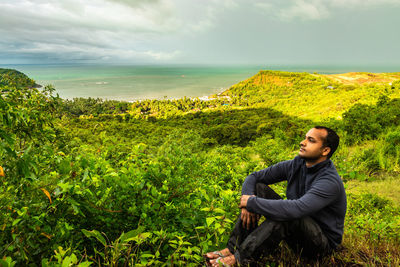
<point>310,220</point>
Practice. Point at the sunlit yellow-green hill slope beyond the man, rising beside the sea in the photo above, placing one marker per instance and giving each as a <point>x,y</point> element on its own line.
<point>313,96</point>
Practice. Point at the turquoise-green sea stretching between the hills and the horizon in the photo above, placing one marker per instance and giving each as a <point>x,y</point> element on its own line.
<point>132,83</point>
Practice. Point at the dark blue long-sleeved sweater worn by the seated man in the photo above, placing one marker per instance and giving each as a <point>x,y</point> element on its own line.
<point>317,192</point>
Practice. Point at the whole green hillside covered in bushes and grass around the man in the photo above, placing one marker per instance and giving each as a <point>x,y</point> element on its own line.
<point>157,182</point>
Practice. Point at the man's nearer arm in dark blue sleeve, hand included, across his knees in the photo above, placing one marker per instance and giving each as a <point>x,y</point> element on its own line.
<point>321,194</point>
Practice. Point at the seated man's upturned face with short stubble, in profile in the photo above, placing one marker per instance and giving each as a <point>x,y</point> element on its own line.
<point>312,148</point>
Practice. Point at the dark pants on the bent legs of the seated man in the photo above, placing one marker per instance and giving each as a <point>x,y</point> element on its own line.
<point>303,235</point>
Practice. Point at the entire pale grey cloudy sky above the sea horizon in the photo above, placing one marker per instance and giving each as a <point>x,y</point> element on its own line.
<point>200,31</point>
